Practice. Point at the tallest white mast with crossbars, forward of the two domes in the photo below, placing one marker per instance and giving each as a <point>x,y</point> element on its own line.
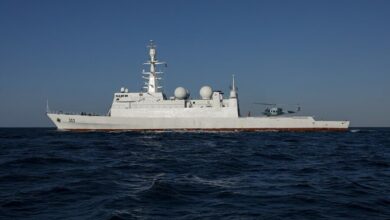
<point>152,84</point>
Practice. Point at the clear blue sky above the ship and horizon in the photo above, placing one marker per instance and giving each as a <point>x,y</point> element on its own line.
<point>331,57</point>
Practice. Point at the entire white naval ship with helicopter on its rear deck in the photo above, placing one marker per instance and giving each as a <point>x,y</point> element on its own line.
<point>152,110</point>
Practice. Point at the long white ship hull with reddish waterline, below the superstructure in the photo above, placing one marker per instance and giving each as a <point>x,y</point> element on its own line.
<point>107,123</point>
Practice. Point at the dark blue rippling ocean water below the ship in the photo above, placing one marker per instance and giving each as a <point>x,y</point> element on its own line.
<point>48,174</point>
